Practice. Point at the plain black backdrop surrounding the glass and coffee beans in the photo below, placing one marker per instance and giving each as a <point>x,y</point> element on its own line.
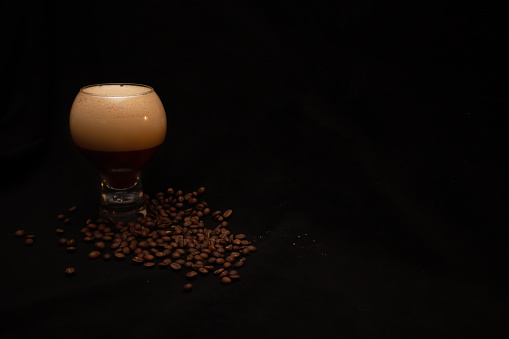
<point>360,144</point>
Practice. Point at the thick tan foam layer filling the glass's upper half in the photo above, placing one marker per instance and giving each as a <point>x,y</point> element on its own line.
<point>115,117</point>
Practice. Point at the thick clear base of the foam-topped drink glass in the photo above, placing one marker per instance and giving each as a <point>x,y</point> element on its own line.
<point>122,204</point>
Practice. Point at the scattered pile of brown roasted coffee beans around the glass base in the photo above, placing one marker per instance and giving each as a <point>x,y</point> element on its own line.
<point>179,232</point>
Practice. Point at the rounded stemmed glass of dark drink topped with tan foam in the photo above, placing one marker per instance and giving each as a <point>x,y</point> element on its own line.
<point>118,127</point>
